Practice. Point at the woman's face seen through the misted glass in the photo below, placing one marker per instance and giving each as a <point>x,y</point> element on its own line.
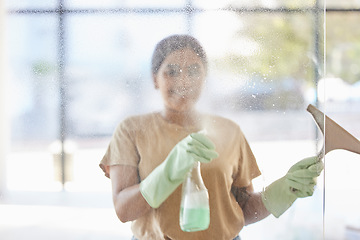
<point>180,80</point>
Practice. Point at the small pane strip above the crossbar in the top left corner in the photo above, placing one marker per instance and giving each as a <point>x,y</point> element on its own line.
<point>31,4</point>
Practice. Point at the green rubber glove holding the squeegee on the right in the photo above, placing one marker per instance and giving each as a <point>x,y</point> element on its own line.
<point>299,182</point>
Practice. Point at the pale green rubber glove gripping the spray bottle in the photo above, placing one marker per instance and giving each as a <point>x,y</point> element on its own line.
<point>166,177</point>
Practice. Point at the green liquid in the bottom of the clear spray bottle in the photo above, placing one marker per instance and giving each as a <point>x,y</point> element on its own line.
<point>194,219</point>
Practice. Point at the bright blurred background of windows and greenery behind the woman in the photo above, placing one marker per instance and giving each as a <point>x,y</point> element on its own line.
<point>70,71</point>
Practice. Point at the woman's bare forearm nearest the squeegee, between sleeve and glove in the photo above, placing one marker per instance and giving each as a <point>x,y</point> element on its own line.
<point>251,204</point>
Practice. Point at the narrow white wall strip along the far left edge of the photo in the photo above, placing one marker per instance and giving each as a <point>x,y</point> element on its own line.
<point>4,116</point>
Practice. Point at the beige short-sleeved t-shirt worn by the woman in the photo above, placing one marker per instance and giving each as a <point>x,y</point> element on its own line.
<point>145,141</point>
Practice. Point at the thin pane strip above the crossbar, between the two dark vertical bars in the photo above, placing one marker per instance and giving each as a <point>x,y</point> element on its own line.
<point>123,4</point>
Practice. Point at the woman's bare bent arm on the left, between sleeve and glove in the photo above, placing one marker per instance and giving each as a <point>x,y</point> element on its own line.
<point>128,201</point>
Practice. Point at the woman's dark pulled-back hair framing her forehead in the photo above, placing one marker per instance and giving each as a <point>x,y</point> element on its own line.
<point>174,43</point>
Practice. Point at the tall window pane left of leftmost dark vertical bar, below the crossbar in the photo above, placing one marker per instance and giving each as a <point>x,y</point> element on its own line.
<point>32,50</point>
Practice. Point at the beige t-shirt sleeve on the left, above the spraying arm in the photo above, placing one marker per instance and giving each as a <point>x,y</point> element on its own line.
<point>122,148</point>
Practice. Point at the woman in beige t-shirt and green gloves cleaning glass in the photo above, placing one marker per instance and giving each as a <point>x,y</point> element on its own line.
<point>149,156</point>
